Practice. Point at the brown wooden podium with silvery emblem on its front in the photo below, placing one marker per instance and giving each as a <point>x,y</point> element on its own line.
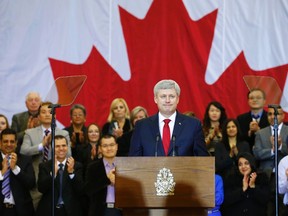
<point>178,185</point>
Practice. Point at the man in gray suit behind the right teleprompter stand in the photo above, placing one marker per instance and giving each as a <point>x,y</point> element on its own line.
<point>264,152</point>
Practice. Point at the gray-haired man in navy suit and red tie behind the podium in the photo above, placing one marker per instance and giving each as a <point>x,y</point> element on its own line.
<point>185,133</point>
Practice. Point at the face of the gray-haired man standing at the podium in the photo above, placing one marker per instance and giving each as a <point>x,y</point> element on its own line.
<point>167,101</point>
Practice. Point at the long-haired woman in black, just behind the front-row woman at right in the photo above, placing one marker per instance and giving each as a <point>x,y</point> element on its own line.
<point>227,150</point>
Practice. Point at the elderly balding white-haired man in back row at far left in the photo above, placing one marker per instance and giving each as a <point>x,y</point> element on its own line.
<point>27,119</point>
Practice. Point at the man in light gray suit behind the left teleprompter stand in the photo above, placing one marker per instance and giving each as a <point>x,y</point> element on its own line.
<point>37,139</point>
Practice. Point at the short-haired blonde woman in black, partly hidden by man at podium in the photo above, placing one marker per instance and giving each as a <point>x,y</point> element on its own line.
<point>136,114</point>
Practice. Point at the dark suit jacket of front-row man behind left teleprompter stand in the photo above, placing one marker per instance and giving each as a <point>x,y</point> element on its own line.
<point>71,193</point>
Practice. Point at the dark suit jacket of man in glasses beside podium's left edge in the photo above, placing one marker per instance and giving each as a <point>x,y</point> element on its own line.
<point>96,183</point>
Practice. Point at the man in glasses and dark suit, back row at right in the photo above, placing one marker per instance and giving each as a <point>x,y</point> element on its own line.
<point>256,118</point>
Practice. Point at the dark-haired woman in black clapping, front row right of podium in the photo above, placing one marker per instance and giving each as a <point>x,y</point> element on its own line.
<point>246,191</point>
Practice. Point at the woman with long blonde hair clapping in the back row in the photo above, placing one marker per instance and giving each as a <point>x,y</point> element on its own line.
<point>118,121</point>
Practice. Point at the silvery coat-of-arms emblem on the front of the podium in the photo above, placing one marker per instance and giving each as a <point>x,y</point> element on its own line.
<point>165,184</point>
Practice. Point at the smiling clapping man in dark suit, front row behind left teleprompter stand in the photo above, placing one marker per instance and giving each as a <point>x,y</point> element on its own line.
<point>67,196</point>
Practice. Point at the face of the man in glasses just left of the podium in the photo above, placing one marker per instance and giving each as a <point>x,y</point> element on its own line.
<point>108,147</point>
